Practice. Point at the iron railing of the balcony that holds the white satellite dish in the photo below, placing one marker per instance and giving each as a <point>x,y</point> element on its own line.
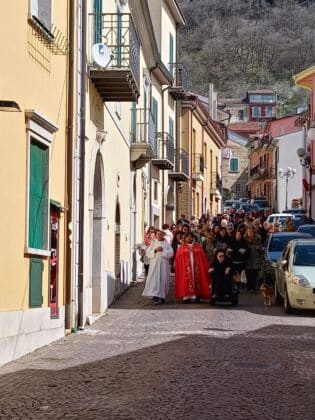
<point>117,32</point>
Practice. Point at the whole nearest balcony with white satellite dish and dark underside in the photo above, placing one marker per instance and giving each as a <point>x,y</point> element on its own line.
<point>116,74</point>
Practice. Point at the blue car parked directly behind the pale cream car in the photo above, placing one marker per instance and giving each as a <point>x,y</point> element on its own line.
<point>273,250</point>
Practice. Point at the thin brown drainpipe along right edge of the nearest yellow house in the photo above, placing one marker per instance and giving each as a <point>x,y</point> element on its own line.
<point>69,178</point>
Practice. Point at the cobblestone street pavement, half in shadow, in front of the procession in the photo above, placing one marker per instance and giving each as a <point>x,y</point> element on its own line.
<point>171,362</point>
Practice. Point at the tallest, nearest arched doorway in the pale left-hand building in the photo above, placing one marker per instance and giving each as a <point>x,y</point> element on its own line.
<point>97,237</point>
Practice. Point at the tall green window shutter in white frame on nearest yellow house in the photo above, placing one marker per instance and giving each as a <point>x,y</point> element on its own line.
<point>38,195</point>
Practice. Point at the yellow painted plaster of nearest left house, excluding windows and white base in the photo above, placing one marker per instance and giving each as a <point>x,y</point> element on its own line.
<point>36,79</point>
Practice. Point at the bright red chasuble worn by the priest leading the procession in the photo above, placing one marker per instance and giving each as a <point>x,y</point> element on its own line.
<point>188,283</point>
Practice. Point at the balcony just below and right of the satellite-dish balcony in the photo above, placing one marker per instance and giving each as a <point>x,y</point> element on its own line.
<point>143,144</point>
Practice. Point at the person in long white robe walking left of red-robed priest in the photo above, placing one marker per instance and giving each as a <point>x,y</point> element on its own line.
<point>159,253</point>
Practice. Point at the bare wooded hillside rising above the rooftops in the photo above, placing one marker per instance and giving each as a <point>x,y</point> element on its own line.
<point>241,44</point>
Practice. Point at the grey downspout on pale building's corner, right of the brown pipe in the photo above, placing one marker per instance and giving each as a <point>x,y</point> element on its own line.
<point>82,162</point>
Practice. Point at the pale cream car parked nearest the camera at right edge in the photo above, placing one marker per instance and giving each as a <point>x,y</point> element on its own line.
<point>295,275</point>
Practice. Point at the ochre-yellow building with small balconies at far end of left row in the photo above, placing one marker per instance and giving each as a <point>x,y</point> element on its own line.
<point>202,138</point>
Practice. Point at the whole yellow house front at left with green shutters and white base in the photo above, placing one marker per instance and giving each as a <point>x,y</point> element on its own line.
<point>33,122</point>
